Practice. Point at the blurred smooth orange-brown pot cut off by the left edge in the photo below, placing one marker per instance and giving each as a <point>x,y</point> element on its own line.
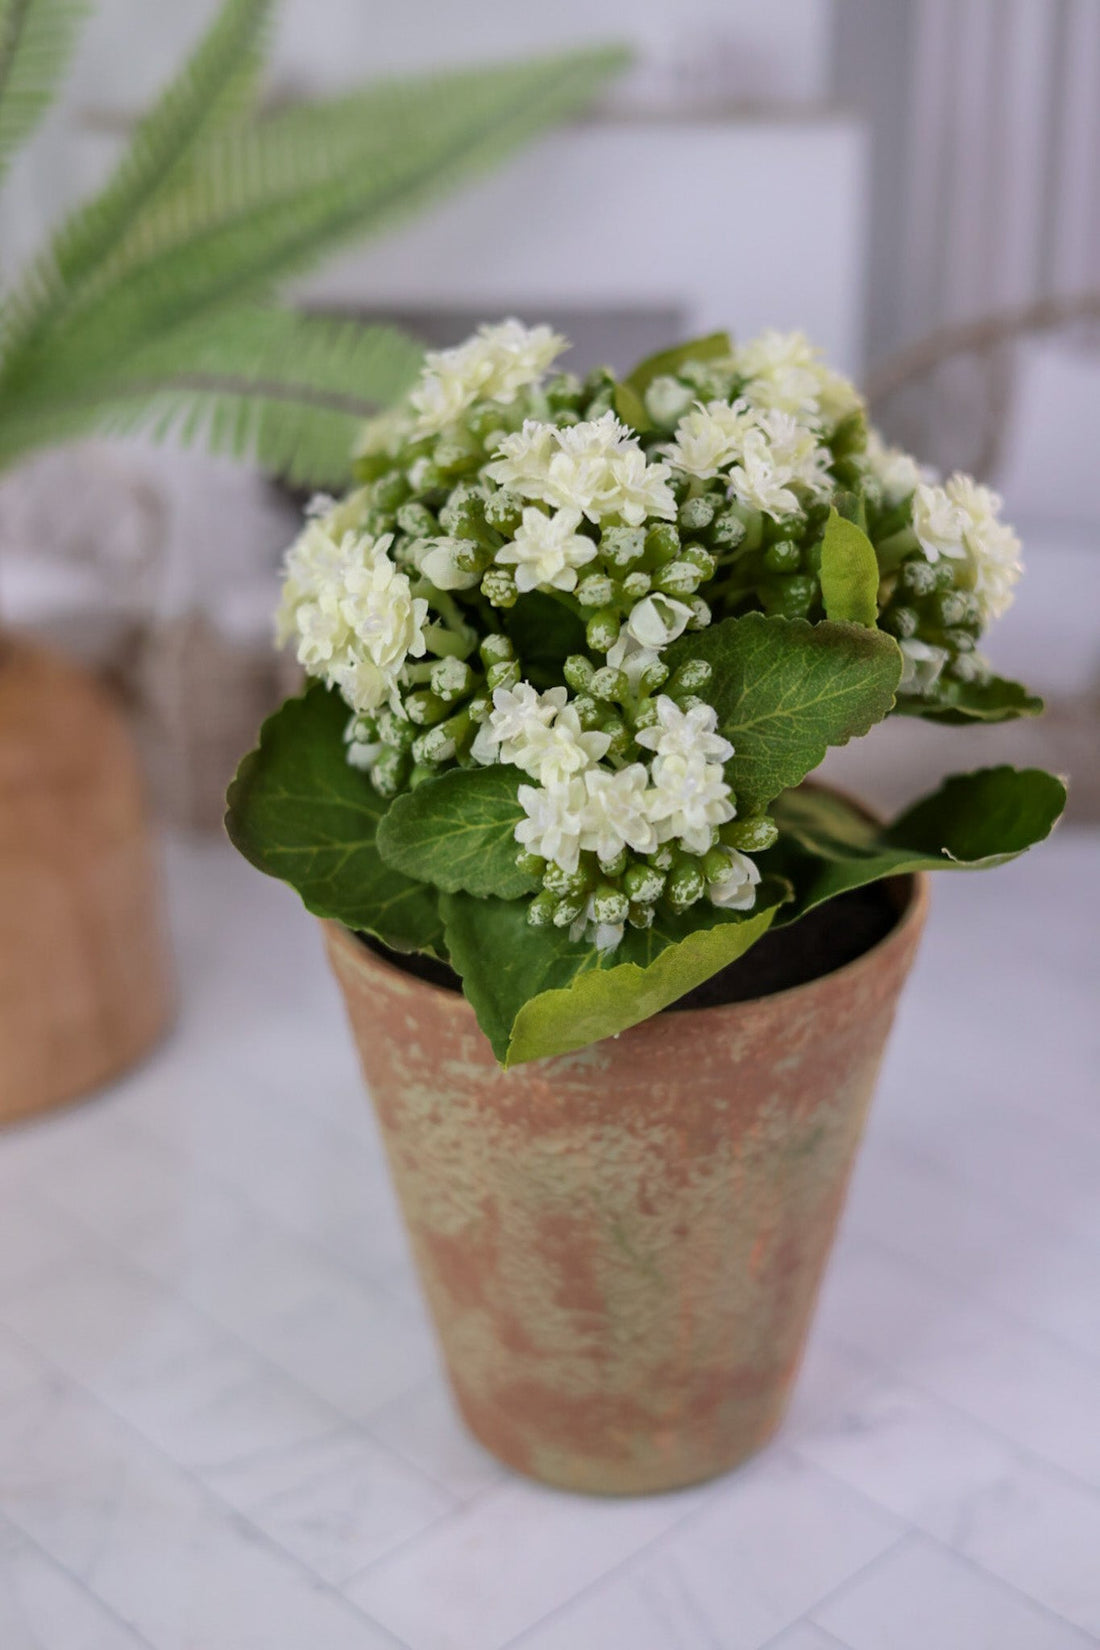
<point>85,978</point>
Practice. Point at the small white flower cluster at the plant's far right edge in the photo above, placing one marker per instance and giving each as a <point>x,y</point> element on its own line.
<point>962,521</point>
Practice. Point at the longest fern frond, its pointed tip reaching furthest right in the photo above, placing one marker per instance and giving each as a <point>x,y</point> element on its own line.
<point>271,200</point>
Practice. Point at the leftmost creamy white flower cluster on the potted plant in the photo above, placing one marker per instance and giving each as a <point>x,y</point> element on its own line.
<point>354,615</point>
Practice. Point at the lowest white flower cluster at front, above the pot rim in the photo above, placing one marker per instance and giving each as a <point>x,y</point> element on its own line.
<point>578,806</point>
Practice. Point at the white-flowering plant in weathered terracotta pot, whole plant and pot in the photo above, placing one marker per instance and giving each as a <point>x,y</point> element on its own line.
<point>619,978</point>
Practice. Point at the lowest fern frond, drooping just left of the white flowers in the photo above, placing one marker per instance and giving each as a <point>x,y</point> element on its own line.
<point>281,389</point>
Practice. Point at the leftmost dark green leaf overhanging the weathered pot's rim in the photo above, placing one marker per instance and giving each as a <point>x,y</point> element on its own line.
<point>299,813</point>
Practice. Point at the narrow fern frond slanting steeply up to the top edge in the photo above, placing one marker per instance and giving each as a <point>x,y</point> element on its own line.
<point>164,141</point>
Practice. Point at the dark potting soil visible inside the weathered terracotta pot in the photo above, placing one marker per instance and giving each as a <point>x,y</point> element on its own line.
<point>820,943</point>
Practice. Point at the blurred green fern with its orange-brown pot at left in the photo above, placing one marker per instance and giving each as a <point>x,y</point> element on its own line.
<point>154,309</point>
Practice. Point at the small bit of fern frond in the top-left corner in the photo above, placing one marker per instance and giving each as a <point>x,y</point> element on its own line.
<point>37,40</point>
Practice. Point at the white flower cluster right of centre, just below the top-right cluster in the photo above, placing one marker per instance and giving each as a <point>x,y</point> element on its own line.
<point>766,455</point>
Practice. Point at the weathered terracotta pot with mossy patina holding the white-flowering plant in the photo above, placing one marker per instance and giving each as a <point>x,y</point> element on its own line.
<point>623,1248</point>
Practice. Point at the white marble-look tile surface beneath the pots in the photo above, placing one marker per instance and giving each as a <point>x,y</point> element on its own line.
<point>223,1423</point>
